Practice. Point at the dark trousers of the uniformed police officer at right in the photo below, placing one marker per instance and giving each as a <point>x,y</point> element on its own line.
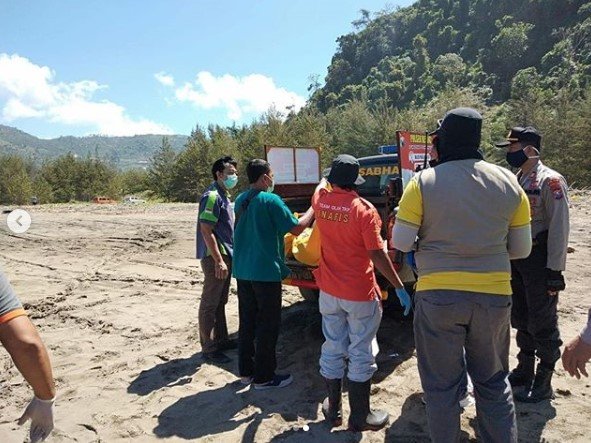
<point>534,312</point>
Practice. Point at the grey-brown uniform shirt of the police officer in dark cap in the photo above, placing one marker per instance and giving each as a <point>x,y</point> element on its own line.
<point>548,199</point>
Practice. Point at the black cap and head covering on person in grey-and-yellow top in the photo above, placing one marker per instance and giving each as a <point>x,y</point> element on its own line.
<point>459,135</point>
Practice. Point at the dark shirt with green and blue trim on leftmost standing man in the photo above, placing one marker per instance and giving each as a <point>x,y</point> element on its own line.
<point>216,210</point>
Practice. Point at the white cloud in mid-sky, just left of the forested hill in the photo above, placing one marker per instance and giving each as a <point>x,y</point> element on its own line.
<point>253,94</point>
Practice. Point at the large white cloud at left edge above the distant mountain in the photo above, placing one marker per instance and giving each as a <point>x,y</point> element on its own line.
<point>30,91</point>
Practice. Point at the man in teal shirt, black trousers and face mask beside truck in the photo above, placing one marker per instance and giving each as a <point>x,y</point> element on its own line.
<point>262,220</point>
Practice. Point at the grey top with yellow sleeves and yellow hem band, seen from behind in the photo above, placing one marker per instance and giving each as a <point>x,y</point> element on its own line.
<point>463,211</point>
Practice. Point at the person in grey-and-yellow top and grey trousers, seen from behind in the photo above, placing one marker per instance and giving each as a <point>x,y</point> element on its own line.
<point>470,217</point>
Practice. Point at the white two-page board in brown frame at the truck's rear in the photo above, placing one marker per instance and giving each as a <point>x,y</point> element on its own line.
<point>294,164</point>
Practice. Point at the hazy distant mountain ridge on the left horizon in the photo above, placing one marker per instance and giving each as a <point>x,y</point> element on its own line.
<point>125,152</point>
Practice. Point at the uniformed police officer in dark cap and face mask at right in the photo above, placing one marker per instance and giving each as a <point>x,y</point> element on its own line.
<point>537,279</point>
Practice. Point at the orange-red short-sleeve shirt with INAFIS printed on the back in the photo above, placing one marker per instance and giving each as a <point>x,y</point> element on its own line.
<point>349,227</point>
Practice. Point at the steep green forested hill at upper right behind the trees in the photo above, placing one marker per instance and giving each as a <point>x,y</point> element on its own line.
<point>406,57</point>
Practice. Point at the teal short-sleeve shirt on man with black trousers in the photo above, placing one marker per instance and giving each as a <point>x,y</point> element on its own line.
<point>259,253</point>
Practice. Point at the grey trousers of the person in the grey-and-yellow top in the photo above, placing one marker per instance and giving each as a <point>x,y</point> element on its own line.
<point>455,332</point>
